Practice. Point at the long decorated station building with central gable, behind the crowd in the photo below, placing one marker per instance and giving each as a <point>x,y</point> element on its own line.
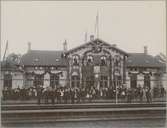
<point>96,63</point>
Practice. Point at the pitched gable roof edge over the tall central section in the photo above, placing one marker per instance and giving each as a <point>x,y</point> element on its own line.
<point>95,40</point>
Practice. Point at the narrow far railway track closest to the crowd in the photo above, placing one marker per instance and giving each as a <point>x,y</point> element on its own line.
<point>79,106</point>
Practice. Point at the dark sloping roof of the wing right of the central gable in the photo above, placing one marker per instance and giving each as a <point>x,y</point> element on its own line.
<point>143,60</point>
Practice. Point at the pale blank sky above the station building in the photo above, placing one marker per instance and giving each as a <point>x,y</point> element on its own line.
<point>130,25</point>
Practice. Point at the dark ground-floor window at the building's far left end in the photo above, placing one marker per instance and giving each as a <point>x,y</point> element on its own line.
<point>8,80</point>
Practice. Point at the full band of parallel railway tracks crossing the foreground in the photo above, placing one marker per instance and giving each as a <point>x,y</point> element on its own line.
<point>80,112</point>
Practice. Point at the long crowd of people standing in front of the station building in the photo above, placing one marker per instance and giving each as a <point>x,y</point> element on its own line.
<point>82,94</point>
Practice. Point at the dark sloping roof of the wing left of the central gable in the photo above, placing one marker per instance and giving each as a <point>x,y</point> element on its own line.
<point>43,58</point>
